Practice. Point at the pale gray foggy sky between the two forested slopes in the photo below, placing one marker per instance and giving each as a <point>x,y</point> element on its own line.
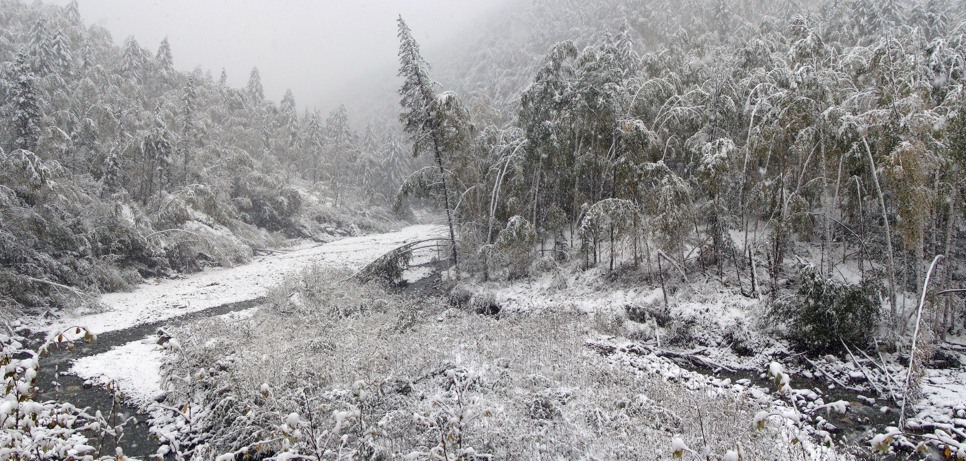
<point>317,48</point>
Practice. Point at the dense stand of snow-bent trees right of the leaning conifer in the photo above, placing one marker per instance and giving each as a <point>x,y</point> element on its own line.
<point>732,142</point>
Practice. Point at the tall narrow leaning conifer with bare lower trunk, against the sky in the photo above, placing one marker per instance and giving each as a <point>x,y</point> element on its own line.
<point>423,115</point>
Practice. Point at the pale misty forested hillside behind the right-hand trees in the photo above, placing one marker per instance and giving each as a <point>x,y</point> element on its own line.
<point>505,49</point>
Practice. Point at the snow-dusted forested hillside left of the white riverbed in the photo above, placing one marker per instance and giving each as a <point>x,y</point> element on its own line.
<point>117,166</point>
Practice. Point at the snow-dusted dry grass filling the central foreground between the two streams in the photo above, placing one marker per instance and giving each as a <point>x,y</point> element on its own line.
<point>522,387</point>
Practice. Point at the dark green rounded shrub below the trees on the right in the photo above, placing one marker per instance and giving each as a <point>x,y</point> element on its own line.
<point>824,313</point>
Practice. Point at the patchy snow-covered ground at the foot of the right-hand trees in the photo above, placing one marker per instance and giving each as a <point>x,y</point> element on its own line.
<point>723,329</point>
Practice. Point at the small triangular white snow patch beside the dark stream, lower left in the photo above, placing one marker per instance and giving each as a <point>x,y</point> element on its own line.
<point>135,368</point>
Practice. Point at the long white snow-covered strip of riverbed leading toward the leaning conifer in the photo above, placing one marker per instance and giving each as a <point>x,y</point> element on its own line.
<point>161,299</point>
